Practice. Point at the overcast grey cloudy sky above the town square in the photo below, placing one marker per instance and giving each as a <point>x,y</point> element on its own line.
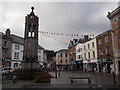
<point>58,17</point>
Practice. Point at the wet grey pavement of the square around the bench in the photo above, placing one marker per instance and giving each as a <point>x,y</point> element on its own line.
<point>99,80</point>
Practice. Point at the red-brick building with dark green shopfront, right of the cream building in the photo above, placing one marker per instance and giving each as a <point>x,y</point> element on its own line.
<point>105,51</point>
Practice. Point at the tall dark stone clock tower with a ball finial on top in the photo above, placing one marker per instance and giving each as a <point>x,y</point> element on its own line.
<point>30,54</point>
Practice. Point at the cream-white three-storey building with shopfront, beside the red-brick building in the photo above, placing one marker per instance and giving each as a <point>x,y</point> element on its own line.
<point>90,55</point>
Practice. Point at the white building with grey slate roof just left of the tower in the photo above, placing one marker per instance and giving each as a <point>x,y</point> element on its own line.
<point>17,51</point>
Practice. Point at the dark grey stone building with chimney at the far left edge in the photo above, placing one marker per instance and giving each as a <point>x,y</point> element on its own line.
<point>6,49</point>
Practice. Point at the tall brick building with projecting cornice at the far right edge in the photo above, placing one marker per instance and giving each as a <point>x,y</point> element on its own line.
<point>114,18</point>
